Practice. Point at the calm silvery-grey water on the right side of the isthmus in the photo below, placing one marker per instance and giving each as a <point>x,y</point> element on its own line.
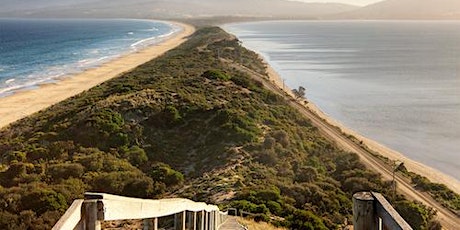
<point>396,82</point>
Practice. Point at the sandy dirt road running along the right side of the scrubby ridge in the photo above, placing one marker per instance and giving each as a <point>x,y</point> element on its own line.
<point>448,219</point>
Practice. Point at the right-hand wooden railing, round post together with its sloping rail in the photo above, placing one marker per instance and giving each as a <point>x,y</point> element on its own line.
<point>372,211</point>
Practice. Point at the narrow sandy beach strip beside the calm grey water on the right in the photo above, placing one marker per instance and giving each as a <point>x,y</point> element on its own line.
<point>432,174</point>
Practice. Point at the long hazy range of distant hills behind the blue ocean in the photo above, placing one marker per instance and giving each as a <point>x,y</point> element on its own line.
<point>169,9</point>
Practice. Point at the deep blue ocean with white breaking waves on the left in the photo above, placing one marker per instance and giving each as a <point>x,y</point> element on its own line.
<point>37,51</point>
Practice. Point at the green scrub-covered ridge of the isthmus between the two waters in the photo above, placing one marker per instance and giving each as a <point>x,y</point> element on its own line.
<point>186,124</point>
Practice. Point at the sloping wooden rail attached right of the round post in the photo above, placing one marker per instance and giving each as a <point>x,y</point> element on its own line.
<point>390,217</point>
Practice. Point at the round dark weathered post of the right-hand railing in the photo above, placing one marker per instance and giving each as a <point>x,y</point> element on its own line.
<point>363,211</point>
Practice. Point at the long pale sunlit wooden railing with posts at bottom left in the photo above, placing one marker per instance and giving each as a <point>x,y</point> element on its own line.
<point>89,213</point>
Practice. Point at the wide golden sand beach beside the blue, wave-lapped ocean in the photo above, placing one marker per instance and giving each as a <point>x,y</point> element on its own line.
<point>24,103</point>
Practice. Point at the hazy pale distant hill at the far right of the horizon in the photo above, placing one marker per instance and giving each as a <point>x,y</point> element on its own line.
<point>406,9</point>
